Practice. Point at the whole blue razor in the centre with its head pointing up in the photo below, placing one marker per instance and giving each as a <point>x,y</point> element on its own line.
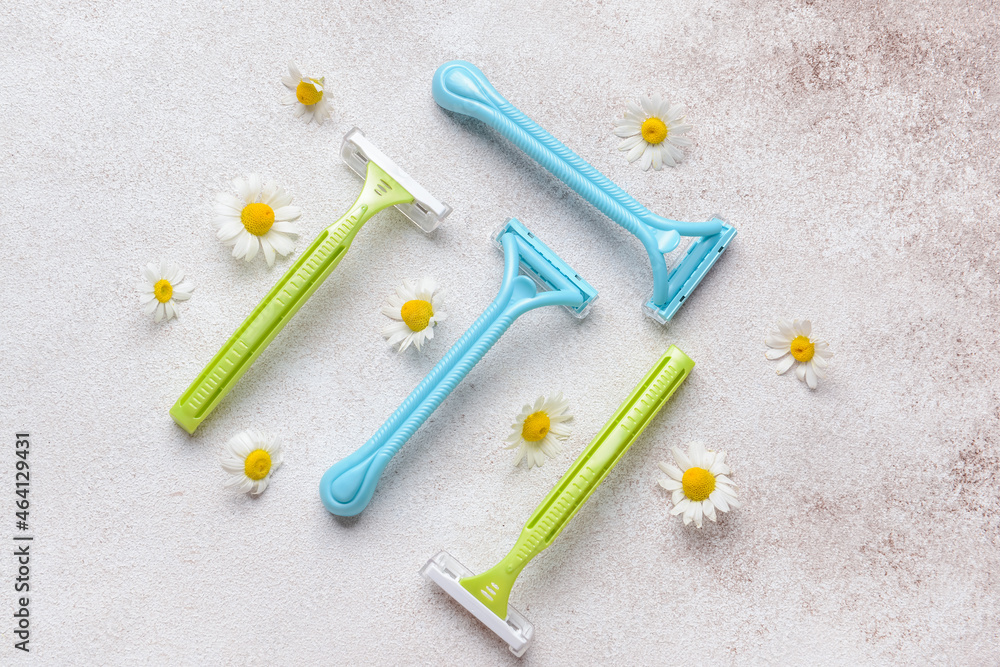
<point>347,487</point>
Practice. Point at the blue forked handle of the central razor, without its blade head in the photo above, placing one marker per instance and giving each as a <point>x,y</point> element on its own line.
<point>348,486</point>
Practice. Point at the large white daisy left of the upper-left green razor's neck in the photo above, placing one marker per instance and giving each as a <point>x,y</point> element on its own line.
<point>260,218</point>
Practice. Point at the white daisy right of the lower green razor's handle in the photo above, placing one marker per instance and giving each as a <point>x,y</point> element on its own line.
<point>700,486</point>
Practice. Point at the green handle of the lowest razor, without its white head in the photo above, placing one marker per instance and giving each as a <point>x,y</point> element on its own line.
<point>492,588</point>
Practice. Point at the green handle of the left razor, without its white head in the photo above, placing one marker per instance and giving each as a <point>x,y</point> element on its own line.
<point>280,304</point>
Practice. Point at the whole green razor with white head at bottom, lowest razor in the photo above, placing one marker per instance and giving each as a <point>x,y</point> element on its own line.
<point>486,594</point>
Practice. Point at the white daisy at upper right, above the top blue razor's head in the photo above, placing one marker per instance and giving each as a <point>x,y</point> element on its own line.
<point>654,131</point>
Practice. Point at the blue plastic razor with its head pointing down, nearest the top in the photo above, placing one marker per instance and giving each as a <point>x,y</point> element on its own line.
<point>459,86</point>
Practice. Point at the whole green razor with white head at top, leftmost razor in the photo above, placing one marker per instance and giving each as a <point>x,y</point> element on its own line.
<point>385,185</point>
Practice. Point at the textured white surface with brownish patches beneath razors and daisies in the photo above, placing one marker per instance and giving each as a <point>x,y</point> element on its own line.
<point>855,149</point>
